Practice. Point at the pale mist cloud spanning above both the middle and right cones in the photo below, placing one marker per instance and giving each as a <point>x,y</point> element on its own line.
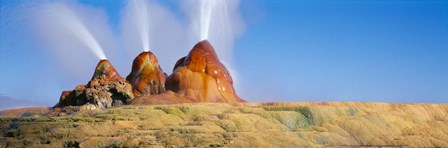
<point>172,36</point>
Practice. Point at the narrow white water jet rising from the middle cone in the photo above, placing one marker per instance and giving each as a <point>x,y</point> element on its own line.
<point>139,10</point>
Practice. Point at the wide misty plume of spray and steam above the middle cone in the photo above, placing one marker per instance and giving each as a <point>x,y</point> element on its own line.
<point>167,32</point>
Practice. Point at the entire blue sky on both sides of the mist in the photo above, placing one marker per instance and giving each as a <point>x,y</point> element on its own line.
<point>291,50</point>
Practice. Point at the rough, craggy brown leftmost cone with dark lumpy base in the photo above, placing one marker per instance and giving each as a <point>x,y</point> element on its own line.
<point>106,88</point>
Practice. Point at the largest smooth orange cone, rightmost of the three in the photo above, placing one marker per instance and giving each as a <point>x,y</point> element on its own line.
<point>201,76</point>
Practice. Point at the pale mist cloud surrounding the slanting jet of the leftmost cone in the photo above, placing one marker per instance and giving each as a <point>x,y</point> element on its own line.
<point>74,36</point>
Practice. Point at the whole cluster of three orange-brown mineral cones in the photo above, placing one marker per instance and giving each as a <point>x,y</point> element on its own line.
<point>197,77</point>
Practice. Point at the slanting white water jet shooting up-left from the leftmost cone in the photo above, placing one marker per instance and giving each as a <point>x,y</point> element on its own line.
<point>65,17</point>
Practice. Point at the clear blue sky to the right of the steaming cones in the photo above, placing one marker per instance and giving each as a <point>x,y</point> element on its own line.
<point>351,51</point>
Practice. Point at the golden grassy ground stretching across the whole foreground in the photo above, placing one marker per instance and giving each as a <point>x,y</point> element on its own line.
<point>235,125</point>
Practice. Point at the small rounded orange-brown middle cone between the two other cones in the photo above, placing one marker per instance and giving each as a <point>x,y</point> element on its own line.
<point>146,77</point>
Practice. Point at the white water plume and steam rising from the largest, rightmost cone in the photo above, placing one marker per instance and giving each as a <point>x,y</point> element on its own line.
<point>219,22</point>
